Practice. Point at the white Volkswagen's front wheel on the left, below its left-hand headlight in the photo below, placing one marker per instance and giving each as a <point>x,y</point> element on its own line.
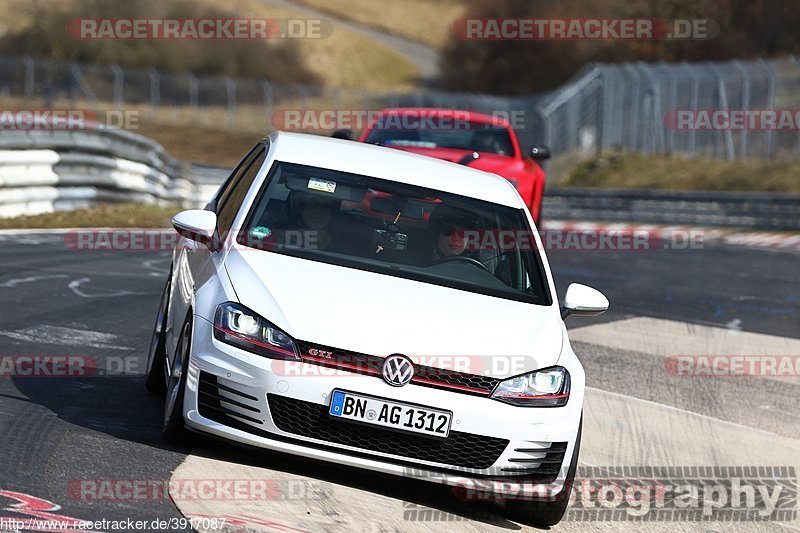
<point>174,428</point>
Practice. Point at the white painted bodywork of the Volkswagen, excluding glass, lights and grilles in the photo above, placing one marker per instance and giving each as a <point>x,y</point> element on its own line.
<point>372,314</point>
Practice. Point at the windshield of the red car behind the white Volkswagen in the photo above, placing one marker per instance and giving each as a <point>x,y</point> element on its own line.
<point>473,136</point>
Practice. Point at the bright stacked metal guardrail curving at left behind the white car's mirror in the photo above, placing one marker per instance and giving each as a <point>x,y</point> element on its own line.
<point>42,171</point>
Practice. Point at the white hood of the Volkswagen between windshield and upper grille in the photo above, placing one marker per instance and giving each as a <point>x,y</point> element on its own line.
<point>377,314</point>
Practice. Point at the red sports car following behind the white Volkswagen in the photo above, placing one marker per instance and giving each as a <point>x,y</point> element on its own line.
<point>481,141</point>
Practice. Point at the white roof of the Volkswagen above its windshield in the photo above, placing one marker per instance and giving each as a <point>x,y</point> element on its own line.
<point>395,165</point>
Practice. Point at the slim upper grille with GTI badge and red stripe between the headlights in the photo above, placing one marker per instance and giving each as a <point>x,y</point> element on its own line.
<point>423,375</point>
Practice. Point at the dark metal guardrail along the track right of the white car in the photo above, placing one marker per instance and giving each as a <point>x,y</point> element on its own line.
<point>762,211</point>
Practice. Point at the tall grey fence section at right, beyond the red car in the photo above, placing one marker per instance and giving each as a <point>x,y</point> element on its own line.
<point>681,108</point>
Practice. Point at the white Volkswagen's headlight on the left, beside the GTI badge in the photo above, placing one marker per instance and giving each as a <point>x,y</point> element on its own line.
<point>238,326</point>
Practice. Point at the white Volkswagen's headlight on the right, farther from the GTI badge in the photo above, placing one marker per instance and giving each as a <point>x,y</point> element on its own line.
<point>548,387</point>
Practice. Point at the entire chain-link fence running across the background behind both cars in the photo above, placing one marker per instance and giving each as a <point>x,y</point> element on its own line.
<point>632,106</point>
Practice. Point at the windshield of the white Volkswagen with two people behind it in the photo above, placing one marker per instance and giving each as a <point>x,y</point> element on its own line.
<point>397,229</point>
